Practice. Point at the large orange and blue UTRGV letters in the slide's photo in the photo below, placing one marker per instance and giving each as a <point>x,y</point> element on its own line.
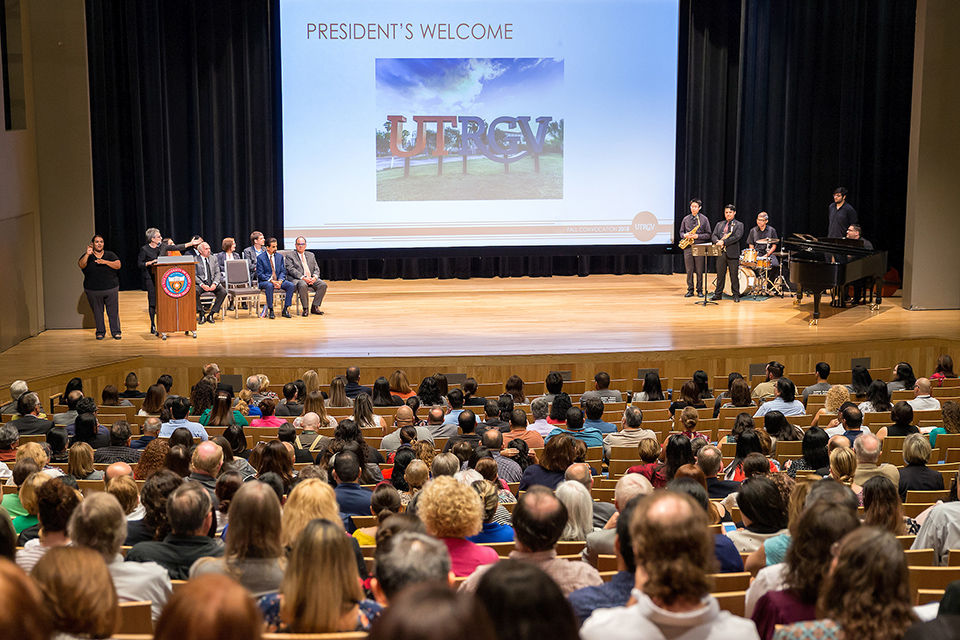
<point>473,130</point>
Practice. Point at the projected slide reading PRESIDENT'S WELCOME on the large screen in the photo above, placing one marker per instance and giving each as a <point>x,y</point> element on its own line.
<point>476,123</point>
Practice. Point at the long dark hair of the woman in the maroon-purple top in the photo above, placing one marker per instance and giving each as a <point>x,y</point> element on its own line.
<point>808,557</point>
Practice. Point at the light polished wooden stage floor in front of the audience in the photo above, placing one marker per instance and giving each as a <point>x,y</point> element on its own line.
<point>488,317</point>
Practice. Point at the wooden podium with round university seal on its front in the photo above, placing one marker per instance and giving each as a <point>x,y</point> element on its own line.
<point>175,280</point>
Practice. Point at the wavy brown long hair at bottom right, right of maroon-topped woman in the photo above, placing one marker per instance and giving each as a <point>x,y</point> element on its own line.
<point>868,592</point>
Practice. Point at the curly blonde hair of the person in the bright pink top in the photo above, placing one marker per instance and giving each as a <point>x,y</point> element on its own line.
<point>450,509</point>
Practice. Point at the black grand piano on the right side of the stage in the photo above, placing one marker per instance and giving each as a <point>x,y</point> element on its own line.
<point>817,264</point>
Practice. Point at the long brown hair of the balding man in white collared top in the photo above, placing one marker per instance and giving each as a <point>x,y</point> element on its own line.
<point>675,548</point>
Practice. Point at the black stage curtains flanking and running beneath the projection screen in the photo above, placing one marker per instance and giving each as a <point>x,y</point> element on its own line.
<point>779,103</point>
